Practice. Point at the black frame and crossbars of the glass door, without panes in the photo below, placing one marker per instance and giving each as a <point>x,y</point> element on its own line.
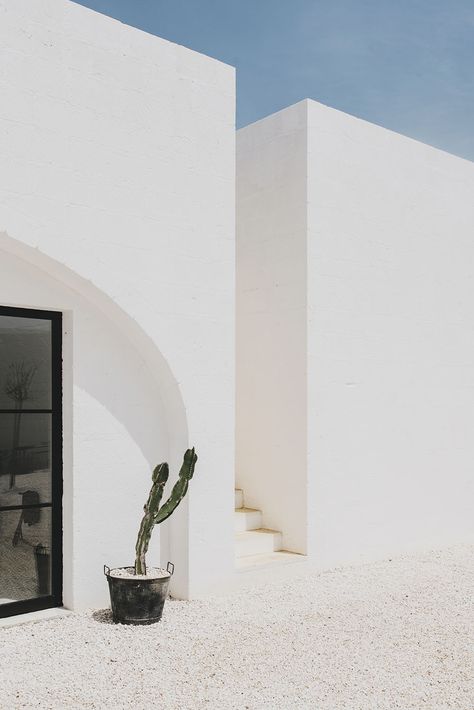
<point>55,599</point>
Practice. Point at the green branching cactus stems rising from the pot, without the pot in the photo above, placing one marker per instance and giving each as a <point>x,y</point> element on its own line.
<point>156,514</point>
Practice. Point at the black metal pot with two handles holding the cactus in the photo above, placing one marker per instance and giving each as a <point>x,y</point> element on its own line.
<point>137,601</point>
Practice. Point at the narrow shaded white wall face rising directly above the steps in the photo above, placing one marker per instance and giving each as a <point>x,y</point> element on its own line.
<point>271,322</point>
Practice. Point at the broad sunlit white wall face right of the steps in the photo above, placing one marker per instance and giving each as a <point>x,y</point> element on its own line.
<point>390,341</point>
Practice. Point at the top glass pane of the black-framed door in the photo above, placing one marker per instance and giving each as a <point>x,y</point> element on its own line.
<point>25,363</point>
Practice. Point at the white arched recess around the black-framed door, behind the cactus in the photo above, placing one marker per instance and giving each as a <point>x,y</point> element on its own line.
<point>123,412</point>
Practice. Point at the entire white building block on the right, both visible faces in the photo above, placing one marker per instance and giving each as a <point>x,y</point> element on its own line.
<point>374,233</point>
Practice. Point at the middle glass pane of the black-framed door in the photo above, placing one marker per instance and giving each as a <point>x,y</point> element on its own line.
<point>25,459</point>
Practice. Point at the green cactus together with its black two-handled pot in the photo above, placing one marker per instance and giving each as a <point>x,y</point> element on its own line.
<point>138,592</point>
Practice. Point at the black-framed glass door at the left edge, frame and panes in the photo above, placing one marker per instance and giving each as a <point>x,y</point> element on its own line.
<point>30,460</point>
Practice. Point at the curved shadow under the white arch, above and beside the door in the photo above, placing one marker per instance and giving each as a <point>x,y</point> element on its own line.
<point>114,361</point>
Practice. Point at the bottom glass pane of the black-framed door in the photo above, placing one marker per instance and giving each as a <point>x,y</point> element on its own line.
<point>25,554</point>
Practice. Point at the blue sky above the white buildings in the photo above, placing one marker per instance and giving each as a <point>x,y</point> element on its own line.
<point>407,65</point>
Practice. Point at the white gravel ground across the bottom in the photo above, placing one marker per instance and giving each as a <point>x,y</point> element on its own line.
<point>393,634</point>
